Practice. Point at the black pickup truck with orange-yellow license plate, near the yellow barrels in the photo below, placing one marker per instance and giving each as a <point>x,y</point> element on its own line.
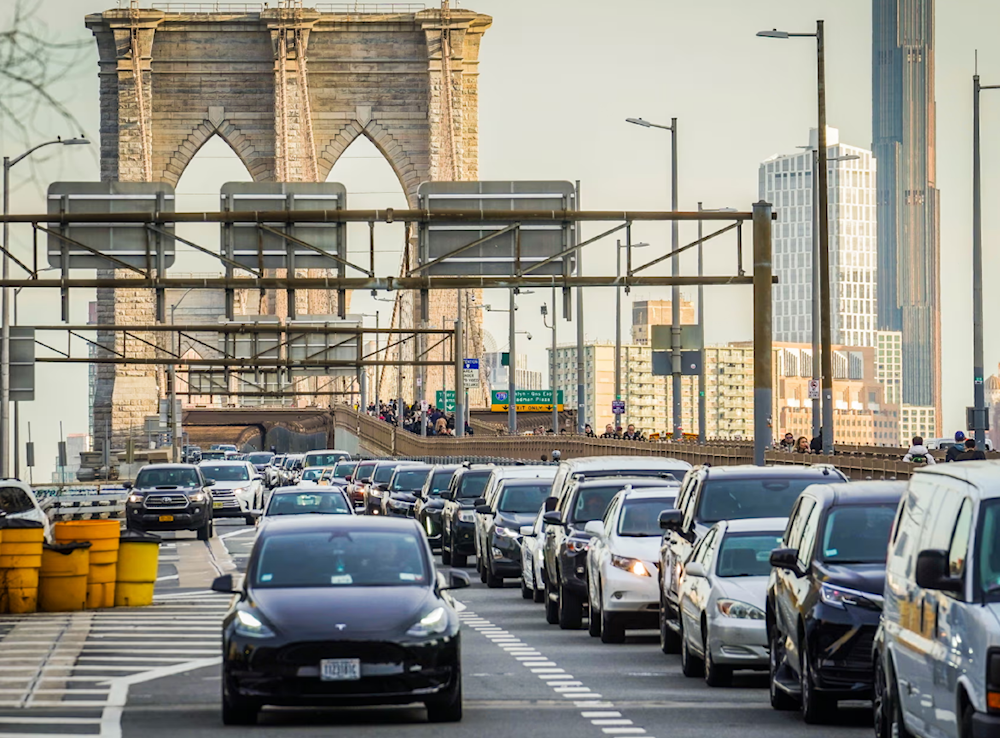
<point>170,497</point>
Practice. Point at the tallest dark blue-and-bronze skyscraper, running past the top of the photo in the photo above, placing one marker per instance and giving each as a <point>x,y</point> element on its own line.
<point>904,143</point>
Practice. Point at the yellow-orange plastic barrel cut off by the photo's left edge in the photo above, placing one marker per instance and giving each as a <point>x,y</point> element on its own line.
<point>20,560</point>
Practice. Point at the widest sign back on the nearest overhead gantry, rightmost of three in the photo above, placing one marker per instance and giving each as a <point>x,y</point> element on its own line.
<point>497,256</point>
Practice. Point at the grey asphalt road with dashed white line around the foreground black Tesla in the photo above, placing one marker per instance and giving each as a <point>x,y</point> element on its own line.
<point>521,677</point>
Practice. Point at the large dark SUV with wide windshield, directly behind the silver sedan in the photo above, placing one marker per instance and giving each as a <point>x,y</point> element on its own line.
<point>713,493</point>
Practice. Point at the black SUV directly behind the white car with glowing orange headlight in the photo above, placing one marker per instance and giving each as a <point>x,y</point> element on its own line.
<point>565,548</point>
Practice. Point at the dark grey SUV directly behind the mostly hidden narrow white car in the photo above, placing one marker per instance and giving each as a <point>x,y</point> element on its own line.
<point>516,504</point>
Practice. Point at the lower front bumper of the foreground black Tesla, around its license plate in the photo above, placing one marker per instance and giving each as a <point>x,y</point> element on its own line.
<point>391,673</point>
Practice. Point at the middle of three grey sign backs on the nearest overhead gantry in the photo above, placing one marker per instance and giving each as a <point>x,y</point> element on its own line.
<point>249,245</point>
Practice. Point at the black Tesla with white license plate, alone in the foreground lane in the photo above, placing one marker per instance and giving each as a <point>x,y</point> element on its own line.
<point>341,610</point>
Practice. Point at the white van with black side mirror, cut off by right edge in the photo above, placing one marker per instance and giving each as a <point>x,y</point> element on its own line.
<point>937,651</point>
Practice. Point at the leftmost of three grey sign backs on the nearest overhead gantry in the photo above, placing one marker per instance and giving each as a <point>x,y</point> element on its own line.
<point>128,242</point>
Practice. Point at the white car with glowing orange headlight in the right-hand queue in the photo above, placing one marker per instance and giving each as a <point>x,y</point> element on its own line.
<point>621,563</point>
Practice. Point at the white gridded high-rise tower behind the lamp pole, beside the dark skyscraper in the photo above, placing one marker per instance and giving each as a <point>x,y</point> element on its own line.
<point>786,181</point>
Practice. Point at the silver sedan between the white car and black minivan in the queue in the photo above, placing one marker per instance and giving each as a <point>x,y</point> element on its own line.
<point>722,597</point>
